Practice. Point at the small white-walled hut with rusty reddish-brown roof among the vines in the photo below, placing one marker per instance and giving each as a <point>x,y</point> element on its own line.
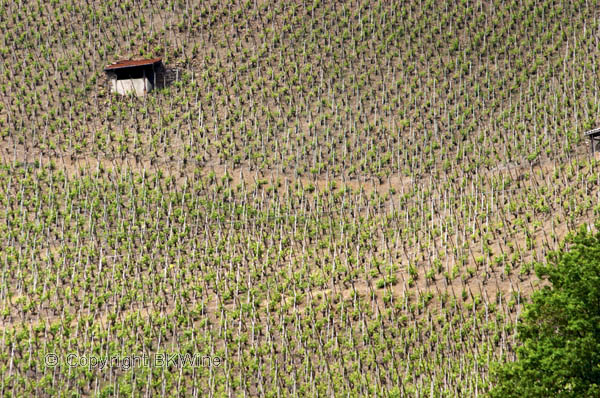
<point>133,76</point>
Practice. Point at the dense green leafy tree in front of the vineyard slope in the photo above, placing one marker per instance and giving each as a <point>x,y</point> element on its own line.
<point>560,329</point>
